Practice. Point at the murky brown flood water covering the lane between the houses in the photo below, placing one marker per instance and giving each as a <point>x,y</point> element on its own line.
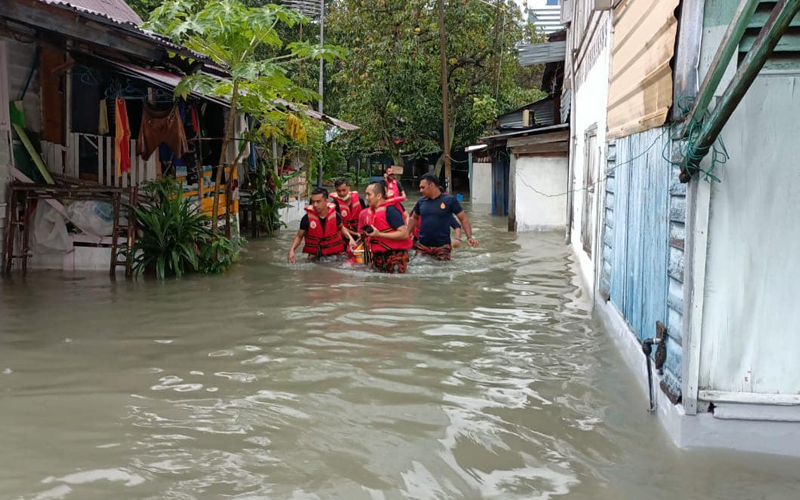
<point>482,378</point>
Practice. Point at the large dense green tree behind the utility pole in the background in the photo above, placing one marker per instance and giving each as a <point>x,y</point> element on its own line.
<point>390,83</point>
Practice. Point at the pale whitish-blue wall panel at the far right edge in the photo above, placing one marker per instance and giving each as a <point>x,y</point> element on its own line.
<point>750,319</point>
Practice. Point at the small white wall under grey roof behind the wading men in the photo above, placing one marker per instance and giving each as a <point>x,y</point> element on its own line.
<point>534,211</point>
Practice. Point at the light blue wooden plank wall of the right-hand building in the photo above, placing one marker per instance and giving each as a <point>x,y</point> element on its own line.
<point>643,237</point>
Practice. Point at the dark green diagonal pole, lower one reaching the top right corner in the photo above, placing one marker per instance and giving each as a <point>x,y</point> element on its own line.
<point>765,43</point>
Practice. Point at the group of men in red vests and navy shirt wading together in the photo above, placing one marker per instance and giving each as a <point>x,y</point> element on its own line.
<point>380,226</point>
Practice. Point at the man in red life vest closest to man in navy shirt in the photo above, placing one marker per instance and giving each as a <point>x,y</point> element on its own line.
<point>385,232</point>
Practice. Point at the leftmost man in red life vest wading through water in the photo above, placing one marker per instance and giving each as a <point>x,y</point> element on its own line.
<point>321,228</point>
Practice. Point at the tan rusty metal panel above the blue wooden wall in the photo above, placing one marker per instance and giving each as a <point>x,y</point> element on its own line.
<point>640,86</point>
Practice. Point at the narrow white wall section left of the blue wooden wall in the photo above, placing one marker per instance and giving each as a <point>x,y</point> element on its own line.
<point>589,108</point>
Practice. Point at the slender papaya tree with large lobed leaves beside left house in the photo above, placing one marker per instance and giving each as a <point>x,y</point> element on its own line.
<point>245,42</point>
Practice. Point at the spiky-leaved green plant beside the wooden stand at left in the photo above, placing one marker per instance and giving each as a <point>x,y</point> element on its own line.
<point>176,238</point>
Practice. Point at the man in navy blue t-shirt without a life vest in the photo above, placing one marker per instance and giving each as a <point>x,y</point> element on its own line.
<point>433,213</point>
